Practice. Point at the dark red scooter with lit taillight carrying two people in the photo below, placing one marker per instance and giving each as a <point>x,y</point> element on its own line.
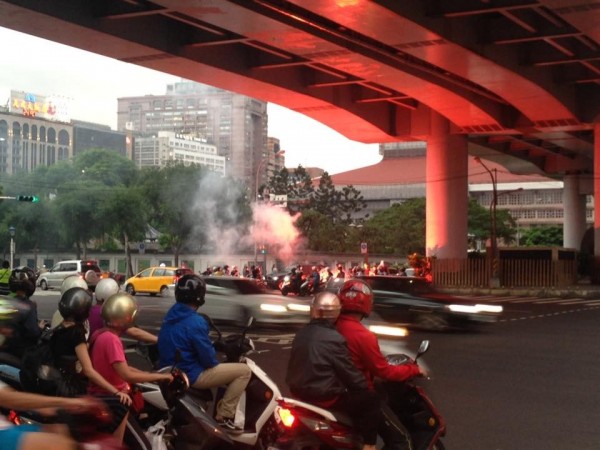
<point>302,425</point>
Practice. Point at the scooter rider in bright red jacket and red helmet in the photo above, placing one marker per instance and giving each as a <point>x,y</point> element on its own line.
<point>357,302</point>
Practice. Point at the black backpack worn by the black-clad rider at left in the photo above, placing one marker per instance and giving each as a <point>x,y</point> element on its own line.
<point>38,371</point>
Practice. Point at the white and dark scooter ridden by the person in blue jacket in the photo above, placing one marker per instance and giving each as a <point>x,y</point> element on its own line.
<point>255,412</point>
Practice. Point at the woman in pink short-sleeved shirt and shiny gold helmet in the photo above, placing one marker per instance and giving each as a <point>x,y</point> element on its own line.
<point>108,357</point>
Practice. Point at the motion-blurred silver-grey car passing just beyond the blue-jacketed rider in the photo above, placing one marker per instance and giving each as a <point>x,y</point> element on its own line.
<point>235,299</point>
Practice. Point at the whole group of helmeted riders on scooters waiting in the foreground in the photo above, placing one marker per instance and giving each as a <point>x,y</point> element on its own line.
<point>124,407</point>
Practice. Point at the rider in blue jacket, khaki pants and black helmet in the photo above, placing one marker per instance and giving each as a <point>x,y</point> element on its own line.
<point>184,331</point>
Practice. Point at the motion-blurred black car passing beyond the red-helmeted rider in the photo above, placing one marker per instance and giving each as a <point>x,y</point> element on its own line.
<point>414,302</point>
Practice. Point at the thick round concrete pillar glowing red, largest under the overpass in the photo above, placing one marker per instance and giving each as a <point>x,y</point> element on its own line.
<point>446,192</point>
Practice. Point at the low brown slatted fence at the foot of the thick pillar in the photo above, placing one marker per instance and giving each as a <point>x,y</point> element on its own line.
<point>512,273</point>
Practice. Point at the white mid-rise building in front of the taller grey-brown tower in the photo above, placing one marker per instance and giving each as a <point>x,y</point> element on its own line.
<point>169,146</point>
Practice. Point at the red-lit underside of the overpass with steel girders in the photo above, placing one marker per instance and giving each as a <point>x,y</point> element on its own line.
<point>520,78</point>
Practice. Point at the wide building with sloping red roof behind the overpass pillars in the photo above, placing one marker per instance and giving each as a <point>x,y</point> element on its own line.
<point>532,200</point>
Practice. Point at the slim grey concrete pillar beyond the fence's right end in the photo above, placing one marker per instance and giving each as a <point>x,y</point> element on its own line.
<point>574,222</point>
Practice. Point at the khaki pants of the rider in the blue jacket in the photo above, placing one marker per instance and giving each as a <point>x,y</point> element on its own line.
<point>235,375</point>
